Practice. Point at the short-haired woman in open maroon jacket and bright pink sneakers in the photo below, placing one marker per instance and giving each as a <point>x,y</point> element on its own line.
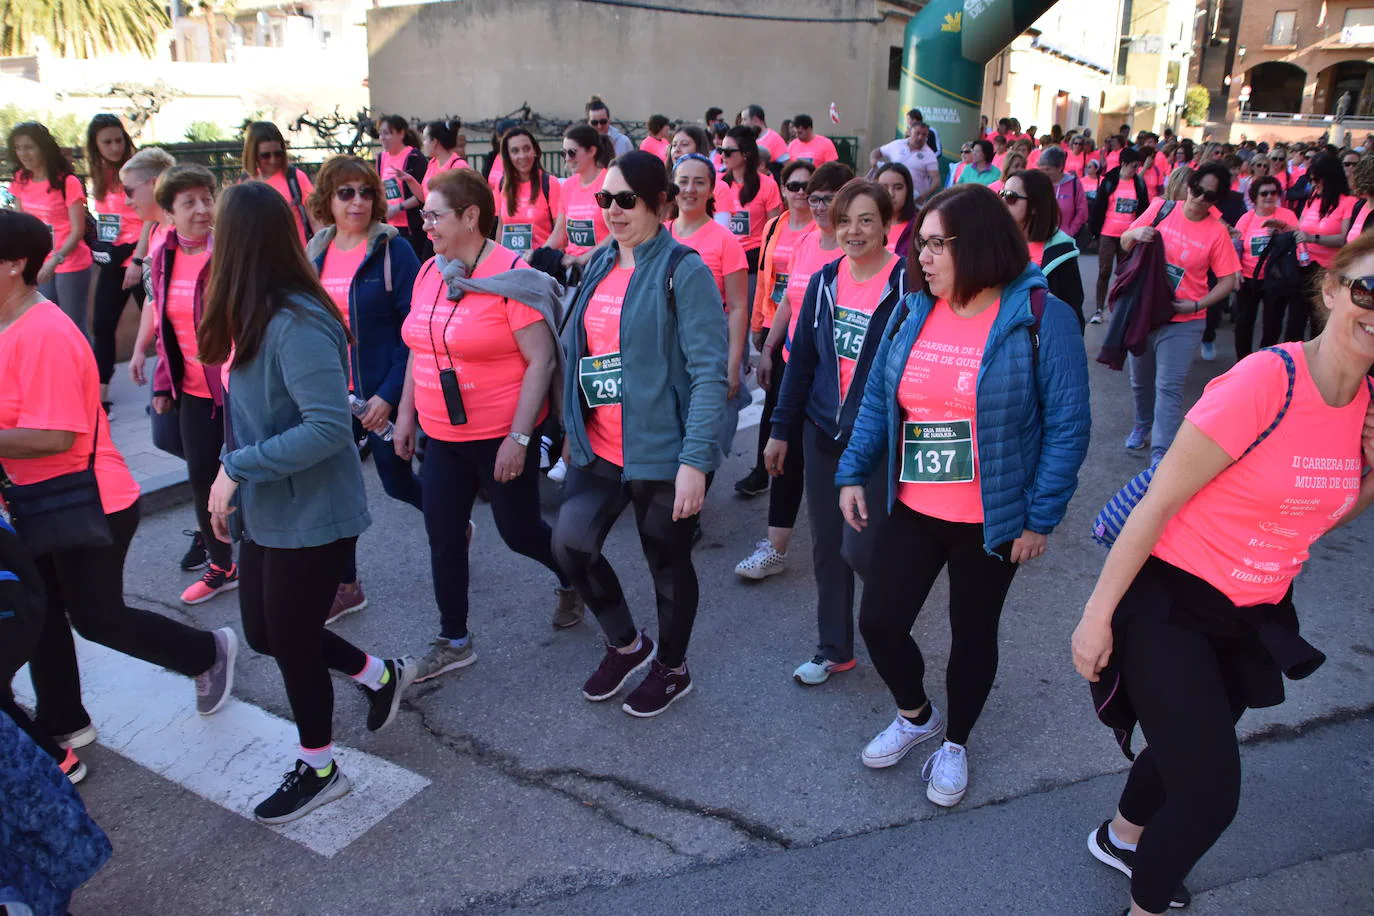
<point>179,270</point>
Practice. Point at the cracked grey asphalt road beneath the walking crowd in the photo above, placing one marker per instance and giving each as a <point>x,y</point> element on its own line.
<point>748,797</point>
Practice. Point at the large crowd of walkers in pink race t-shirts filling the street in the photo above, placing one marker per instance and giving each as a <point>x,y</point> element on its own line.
<point>919,341</point>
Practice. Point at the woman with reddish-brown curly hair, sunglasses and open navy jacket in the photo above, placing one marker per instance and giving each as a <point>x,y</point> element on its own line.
<point>369,271</point>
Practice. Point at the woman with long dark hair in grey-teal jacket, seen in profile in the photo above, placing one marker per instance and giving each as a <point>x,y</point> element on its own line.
<point>291,485</point>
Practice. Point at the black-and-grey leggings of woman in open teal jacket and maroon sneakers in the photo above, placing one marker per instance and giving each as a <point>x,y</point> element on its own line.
<point>593,501</point>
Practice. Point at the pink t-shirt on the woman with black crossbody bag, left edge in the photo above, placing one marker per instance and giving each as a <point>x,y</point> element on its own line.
<point>49,381</point>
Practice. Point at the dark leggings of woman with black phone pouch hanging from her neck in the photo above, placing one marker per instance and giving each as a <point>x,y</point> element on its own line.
<point>451,476</point>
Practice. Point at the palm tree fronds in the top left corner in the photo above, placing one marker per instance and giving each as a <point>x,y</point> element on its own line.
<point>82,28</point>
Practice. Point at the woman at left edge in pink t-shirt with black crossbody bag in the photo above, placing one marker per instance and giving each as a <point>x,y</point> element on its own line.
<point>52,425</point>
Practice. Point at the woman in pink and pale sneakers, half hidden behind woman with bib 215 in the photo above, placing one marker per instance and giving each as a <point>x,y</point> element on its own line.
<point>813,252</point>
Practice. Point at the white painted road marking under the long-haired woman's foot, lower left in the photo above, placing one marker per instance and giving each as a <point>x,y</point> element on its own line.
<point>233,759</point>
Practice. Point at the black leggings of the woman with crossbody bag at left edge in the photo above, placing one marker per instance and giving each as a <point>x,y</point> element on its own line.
<point>87,588</point>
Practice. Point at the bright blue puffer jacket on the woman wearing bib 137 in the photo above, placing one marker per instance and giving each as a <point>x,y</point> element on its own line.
<point>1033,422</point>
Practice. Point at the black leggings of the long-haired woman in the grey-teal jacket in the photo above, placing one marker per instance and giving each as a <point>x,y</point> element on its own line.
<point>285,597</point>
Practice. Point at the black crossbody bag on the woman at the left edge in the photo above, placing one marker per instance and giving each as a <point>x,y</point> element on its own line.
<point>63,513</point>
